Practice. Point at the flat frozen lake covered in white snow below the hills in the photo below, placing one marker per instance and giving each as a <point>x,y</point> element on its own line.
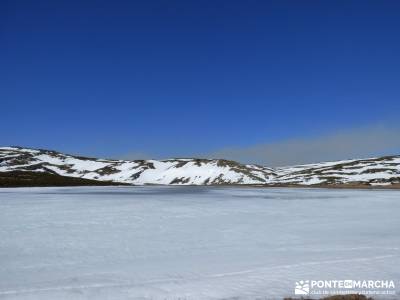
<point>191,242</point>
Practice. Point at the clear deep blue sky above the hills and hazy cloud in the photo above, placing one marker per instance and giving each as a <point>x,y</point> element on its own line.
<point>185,78</point>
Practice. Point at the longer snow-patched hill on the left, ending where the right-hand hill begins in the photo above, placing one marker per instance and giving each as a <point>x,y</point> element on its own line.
<point>171,171</point>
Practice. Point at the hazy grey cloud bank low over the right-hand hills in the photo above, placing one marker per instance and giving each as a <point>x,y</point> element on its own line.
<point>347,144</point>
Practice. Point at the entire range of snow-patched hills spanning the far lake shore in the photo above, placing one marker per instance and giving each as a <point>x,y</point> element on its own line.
<point>384,171</point>
